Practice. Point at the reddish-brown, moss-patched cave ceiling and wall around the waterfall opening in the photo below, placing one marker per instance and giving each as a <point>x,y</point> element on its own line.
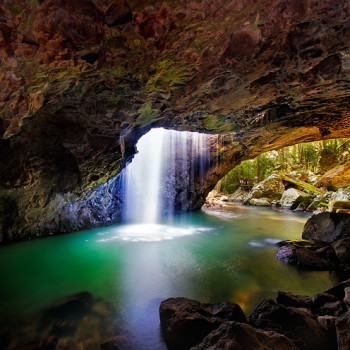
<point>82,81</point>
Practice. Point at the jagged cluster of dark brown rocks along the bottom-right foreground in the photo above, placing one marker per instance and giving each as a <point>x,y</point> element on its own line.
<point>292,322</point>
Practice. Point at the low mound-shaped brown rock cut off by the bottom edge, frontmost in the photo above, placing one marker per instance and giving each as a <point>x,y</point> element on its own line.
<point>240,336</point>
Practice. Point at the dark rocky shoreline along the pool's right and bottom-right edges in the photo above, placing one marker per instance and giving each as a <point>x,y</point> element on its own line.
<point>292,321</point>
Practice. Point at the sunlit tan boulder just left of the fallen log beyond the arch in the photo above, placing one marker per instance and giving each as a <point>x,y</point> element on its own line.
<point>270,189</point>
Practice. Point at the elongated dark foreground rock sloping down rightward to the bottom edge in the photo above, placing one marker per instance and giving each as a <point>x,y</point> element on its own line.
<point>299,326</point>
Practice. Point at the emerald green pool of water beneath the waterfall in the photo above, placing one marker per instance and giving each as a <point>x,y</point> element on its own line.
<point>212,255</point>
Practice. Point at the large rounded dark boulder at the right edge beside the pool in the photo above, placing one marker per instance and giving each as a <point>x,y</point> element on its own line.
<point>327,227</point>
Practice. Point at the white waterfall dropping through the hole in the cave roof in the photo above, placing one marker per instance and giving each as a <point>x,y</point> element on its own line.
<point>160,179</point>
